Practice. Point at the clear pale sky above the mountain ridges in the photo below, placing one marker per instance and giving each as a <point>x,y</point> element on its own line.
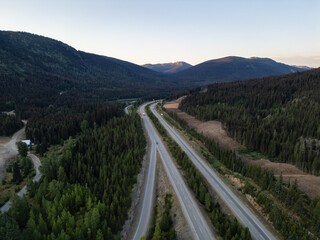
<point>158,31</point>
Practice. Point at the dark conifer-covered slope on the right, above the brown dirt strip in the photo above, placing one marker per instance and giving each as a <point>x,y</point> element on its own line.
<point>279,116</point>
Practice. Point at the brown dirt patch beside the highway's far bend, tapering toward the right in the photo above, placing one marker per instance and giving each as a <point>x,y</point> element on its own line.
<point>211,129</point>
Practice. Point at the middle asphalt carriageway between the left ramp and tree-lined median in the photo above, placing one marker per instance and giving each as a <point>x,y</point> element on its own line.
<point>191,211</point>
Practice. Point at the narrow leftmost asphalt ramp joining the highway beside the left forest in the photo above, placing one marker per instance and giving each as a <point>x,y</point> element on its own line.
<point>148,197</point>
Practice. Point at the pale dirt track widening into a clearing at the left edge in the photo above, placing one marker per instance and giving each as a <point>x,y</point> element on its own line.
<point>9,150</point>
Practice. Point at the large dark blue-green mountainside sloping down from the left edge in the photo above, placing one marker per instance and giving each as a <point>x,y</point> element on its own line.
<point>39,70</point>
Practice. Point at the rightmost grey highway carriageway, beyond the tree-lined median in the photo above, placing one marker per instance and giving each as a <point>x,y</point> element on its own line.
<point>243,214</point>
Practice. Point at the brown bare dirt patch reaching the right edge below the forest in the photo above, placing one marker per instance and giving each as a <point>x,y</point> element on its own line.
<point>308,183</point>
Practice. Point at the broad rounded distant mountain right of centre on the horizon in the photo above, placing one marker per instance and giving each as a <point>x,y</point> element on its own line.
<point>232,69</point>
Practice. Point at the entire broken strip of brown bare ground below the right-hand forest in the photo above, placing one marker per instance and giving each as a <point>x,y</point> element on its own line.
<point>308,183</point>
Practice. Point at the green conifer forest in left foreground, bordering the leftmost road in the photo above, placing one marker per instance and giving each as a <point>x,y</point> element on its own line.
<point>84,191</point>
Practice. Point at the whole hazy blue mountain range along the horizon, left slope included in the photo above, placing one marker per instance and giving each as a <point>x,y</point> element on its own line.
<point>40,71</point>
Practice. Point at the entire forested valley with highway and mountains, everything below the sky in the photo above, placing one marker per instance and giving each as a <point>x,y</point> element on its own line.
<point>228,148</point>
